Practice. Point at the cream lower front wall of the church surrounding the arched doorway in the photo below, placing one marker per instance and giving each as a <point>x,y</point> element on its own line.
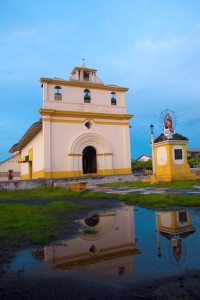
<point>59,137</point>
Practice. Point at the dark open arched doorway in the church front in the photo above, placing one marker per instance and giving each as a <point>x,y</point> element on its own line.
<point>89,160</point>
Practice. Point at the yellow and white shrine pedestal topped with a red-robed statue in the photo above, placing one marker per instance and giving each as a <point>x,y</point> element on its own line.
<point>169,154</point>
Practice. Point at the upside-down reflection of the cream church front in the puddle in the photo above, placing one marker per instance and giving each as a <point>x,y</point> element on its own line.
<point>106,245</point>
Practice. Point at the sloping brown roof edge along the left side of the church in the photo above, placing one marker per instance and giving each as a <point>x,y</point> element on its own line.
<point>28,136</point>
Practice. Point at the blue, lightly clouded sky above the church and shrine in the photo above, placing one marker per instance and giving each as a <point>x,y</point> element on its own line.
<point>151,47</point>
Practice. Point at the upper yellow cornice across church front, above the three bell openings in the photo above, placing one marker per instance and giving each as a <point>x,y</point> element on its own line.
<point>84,84</point>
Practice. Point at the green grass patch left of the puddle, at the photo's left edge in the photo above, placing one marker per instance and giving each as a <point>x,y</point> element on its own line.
<point>36,223</point>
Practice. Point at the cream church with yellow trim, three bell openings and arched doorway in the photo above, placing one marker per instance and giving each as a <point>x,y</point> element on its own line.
<point>84,129</point>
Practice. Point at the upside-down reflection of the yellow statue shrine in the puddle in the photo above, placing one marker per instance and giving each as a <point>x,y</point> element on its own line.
<point>175,225</point>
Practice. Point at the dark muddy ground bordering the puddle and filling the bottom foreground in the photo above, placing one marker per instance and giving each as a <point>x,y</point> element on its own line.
<point>25,284</point>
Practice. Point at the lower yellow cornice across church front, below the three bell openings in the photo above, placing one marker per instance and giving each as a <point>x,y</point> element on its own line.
<point>78,114</point>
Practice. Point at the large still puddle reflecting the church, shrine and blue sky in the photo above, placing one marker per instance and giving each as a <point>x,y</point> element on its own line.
<point>131,242</point>
